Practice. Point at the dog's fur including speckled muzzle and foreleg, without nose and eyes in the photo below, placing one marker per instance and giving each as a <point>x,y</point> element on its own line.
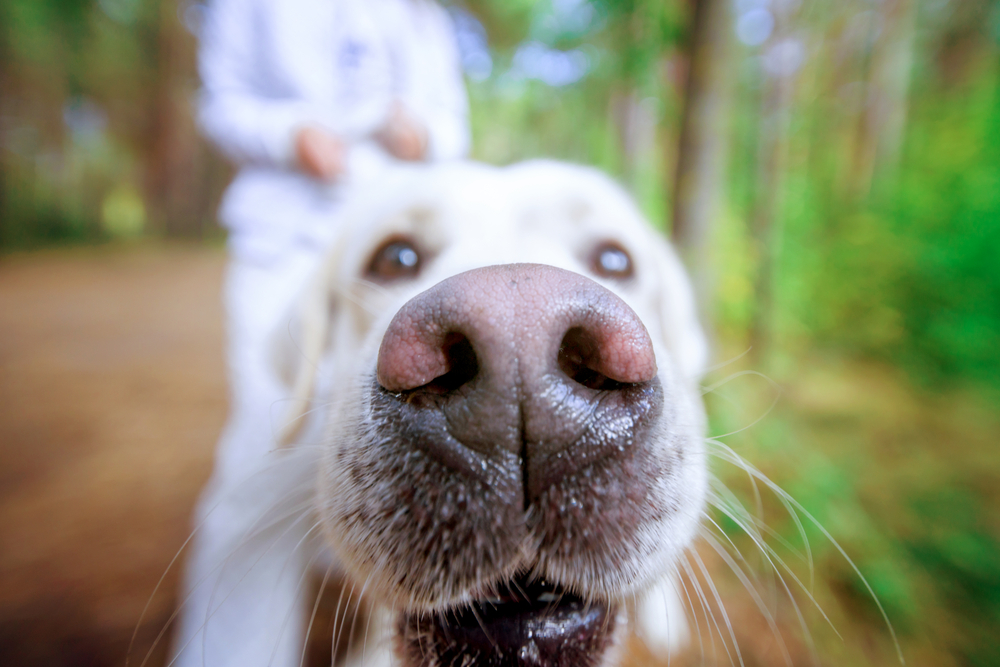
<point>346,478</point>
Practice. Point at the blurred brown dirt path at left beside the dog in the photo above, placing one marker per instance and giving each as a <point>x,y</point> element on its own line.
<point>112,393</point>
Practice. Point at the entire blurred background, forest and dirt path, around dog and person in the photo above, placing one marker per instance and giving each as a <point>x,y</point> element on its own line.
<point>830,170</point>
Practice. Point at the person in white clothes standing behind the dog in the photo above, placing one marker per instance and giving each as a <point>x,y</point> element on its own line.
<point>310,98</point>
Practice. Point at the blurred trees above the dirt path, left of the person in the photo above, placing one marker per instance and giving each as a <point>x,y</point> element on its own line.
<point>96,125</point>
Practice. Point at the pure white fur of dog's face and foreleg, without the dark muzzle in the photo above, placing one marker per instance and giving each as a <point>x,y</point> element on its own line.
<point>260,535</point>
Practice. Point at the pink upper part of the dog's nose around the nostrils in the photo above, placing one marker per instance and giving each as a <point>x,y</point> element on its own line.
<point>521,320</point>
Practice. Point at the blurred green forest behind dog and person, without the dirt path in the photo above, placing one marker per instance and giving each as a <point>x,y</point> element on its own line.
<point>830,170</point>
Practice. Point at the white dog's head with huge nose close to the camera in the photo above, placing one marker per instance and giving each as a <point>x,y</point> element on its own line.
<point>514,442</point>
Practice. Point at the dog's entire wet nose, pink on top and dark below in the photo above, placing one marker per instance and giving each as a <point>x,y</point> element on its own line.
<point>527,359</point>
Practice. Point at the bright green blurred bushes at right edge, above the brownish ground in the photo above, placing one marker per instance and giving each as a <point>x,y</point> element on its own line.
<point>913,268</point>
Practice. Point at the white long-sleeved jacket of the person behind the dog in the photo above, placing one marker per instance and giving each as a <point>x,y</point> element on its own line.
<point>271,66</point>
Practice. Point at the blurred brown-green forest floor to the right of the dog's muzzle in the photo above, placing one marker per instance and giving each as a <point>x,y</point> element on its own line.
<point>904,480</point>
